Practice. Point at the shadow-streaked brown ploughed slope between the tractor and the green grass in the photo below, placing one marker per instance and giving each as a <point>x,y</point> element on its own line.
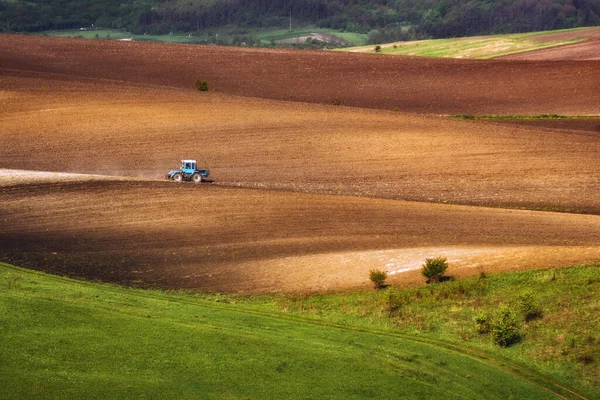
<point>174,235</point>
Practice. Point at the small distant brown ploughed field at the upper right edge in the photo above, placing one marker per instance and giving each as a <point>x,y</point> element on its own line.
<point>587,50</point>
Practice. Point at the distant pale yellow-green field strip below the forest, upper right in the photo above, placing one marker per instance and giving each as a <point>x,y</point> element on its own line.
<point>479,47</point>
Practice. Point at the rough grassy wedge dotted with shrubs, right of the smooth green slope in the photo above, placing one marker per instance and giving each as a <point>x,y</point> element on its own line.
<point>563,341</point>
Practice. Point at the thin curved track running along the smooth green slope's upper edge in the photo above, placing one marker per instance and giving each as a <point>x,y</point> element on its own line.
<point>495,361</point>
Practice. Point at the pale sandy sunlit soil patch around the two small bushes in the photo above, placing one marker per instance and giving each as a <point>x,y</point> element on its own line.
<point>322,272</point>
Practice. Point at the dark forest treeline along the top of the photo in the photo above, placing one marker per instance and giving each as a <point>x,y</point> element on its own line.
<point>386,20</point>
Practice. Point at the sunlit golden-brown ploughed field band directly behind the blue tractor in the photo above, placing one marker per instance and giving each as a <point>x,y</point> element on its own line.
<point>98,128</point>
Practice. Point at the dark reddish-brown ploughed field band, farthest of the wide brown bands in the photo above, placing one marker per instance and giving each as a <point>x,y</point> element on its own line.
<point>423,85</point>
